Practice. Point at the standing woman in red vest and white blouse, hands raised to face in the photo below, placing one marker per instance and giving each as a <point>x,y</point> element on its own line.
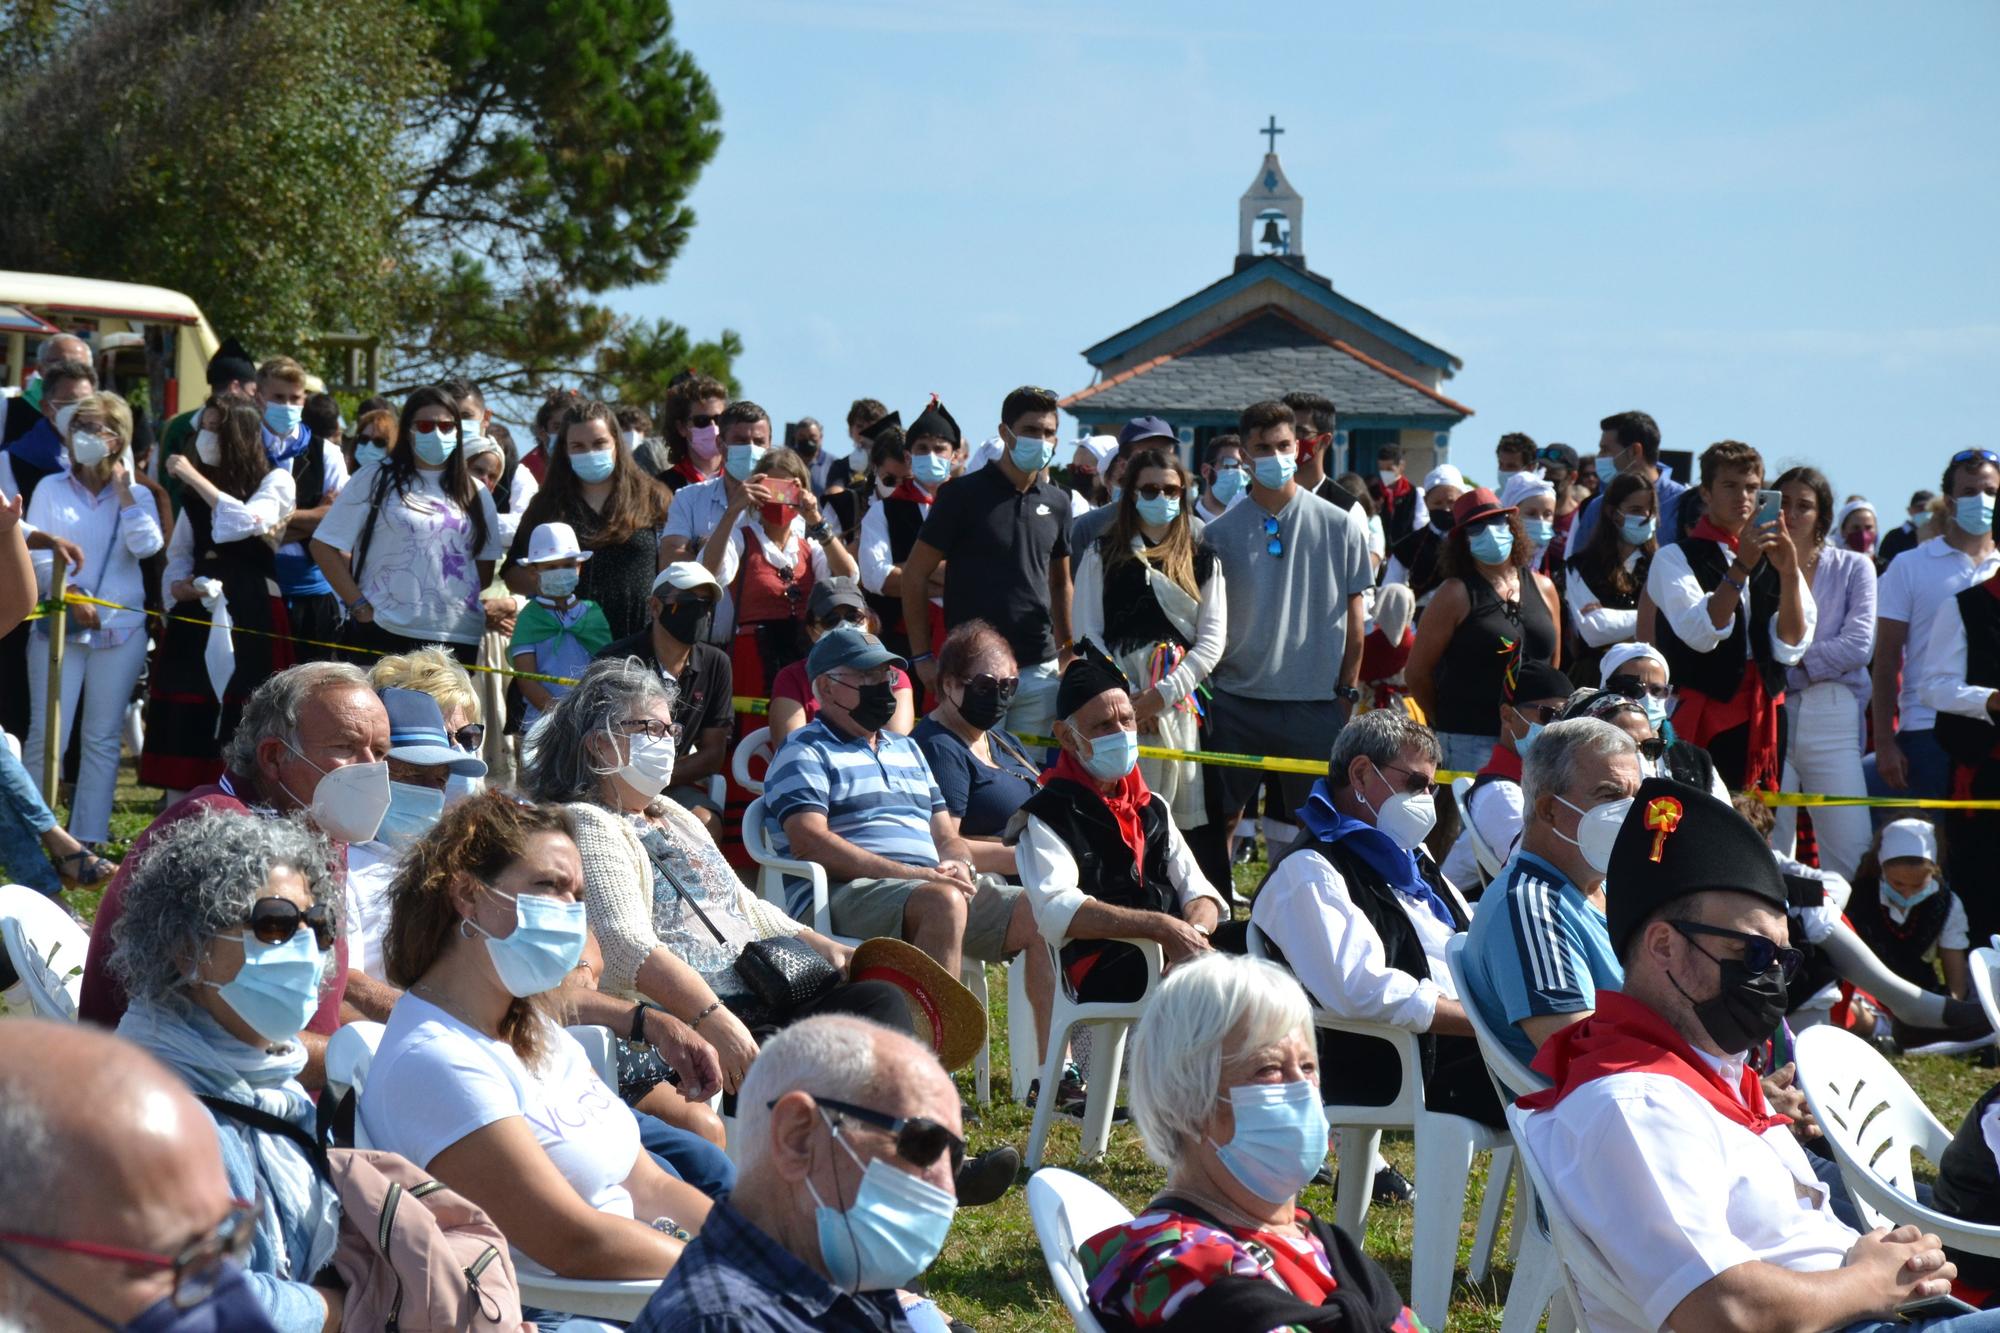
<point>769,549</point>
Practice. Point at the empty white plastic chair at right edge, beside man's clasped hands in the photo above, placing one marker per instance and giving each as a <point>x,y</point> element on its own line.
<point>1877,1124</point>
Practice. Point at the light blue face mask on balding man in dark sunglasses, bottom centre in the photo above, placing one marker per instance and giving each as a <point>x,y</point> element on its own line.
<point>895,1230</point>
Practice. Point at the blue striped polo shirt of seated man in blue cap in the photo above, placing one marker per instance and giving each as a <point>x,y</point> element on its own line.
<point>881,798</point>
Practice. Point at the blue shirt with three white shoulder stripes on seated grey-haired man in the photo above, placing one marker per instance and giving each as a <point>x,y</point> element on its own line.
<point>1537,948</point>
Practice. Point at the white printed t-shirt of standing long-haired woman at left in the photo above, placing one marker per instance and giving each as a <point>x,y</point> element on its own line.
<point>423,573</point>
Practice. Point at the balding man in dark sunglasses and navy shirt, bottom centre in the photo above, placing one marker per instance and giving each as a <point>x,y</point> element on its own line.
<point>849,1136</point>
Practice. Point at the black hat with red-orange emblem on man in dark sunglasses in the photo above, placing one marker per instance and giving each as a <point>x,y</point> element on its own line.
<point>1679,842</point>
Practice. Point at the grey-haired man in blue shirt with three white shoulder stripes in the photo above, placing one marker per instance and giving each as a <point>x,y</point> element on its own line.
<point>1539,952</point>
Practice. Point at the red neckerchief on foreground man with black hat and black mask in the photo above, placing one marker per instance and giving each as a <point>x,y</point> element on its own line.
<point>1629,1038</point>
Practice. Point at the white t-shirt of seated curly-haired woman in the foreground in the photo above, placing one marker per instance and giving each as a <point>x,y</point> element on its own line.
<point>435,1082</point>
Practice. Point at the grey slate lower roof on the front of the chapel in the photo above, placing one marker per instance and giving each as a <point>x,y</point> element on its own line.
<point>1265,355</point>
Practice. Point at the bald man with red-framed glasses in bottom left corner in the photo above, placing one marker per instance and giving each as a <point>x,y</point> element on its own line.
<point>107,1150</point>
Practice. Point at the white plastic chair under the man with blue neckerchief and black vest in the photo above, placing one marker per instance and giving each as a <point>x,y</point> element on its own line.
<point>1445,1150</point>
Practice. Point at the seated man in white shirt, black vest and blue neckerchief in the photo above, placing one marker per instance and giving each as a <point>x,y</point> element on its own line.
<point>1361,916</point>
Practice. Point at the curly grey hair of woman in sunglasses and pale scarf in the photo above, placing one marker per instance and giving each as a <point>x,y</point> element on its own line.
<point>199,880</point>
